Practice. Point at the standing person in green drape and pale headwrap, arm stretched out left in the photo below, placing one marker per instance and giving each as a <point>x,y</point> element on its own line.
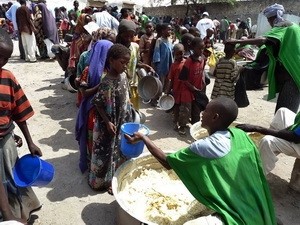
<point>283,48</point>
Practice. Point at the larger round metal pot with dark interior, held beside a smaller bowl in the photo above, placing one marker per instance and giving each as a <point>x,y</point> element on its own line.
<point>150,87</point>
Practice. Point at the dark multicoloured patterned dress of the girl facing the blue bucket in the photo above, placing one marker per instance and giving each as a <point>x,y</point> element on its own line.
<point>106,157</point>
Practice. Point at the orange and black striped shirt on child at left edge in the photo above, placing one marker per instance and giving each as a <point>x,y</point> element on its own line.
<point>14,105</point>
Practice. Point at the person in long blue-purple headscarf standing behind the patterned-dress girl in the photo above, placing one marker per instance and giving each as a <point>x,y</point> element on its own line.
<point>88,83</point>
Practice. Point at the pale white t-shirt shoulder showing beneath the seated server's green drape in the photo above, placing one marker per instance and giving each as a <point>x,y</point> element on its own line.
<point>216,145</point>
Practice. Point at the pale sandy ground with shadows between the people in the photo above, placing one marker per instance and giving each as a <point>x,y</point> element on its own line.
<point>68,198</point>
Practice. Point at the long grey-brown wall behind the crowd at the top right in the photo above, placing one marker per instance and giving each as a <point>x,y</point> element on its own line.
<point>239,10</point>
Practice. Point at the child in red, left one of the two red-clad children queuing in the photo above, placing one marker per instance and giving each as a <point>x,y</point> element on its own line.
<point>175,83</point>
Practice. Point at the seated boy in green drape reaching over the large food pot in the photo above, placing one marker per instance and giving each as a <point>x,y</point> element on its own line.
<point>222,171</point>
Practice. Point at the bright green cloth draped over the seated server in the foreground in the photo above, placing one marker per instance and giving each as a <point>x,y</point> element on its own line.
<point>233,185</point>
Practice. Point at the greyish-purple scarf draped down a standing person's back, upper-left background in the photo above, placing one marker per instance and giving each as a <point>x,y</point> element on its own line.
<point>49,25</point>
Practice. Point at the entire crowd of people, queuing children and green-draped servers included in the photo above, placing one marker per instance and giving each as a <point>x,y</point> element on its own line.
<point>106,48</point>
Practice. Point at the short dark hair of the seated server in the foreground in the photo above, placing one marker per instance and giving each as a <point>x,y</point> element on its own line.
<point>226,108</point>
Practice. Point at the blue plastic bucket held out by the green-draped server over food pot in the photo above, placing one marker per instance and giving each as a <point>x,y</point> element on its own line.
<point>132,150</point>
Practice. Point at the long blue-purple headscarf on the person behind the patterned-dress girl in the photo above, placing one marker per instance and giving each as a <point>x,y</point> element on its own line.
<point>96,67</point>
